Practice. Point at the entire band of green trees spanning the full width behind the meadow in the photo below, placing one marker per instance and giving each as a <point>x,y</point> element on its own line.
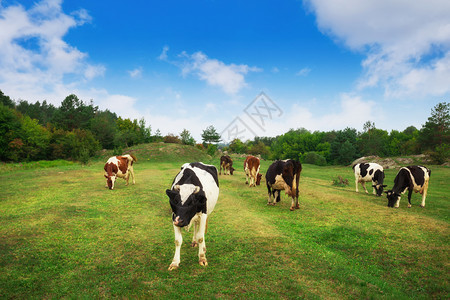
<point>77,130</point>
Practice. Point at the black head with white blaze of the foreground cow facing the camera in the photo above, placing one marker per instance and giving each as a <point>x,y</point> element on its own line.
<point>186,200</point>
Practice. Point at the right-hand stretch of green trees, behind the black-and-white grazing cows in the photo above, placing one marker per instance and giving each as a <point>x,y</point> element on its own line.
<point>343,146</point>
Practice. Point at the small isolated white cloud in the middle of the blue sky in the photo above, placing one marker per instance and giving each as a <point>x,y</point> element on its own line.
<point>230,78</point>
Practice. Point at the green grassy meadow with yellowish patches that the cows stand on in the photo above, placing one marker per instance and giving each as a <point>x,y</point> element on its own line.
<point>63,235</point>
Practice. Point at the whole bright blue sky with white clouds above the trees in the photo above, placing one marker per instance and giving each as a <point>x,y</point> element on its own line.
<point>323,65</point>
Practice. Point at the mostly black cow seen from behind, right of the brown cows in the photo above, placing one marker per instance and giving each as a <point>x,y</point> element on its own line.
<point>284,175</point>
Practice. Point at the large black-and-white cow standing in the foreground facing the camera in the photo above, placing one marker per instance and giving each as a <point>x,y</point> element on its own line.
<point>193,196</point>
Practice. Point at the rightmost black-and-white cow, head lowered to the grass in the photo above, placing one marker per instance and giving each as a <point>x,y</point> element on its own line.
<point>412,178</point>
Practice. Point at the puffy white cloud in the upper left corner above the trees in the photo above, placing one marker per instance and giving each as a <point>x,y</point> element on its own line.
<point>35,61</point>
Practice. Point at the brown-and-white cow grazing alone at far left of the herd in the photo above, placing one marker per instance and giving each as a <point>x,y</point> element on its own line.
<point>119,166</point>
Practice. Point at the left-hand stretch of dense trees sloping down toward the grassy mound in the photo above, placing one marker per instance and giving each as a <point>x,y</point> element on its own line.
<point>75,130</point>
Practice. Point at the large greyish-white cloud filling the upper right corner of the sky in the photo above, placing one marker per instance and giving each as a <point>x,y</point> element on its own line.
<point>398,37</point>
